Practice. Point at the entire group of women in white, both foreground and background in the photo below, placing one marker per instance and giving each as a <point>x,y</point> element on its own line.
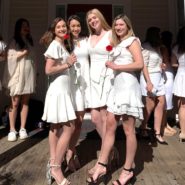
<point>98,72</point>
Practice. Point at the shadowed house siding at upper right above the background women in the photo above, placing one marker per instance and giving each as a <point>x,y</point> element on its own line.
<point>160,13</point>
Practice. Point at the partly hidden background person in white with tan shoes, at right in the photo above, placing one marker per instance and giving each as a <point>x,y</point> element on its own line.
<point>168,75</point>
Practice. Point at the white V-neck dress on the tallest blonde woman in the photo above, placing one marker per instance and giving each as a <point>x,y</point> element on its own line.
<point>100,76</point>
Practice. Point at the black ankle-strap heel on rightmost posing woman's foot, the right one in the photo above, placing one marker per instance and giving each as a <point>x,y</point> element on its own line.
<point>127,181</point>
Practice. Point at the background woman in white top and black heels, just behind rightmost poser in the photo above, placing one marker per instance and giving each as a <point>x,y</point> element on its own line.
<point>152,85</point>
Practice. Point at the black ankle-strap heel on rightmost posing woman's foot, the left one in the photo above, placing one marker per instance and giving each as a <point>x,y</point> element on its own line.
<point>101,176</point>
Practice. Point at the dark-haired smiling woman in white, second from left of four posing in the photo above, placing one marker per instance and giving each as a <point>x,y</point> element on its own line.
<point>80,85</point>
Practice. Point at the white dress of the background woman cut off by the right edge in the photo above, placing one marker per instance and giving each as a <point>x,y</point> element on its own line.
<point>179,81</point>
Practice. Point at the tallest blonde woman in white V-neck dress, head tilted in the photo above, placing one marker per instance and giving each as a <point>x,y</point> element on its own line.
<point>100,82</point>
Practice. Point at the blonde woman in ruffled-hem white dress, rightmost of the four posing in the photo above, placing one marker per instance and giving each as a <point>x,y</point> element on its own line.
<point>124,100</point>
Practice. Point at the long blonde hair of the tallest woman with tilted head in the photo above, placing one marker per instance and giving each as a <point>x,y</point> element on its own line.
<point>98,14</point>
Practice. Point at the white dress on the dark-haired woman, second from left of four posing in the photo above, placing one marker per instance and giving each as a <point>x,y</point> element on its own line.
<point>80,79</point>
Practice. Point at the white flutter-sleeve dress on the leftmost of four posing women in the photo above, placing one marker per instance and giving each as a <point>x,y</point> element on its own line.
<point>58,106</point>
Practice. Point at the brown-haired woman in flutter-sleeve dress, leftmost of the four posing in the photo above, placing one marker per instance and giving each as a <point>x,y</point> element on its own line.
<point>58,108</point>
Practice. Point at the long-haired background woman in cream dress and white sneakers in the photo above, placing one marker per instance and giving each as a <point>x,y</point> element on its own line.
<point>20,76</point>
